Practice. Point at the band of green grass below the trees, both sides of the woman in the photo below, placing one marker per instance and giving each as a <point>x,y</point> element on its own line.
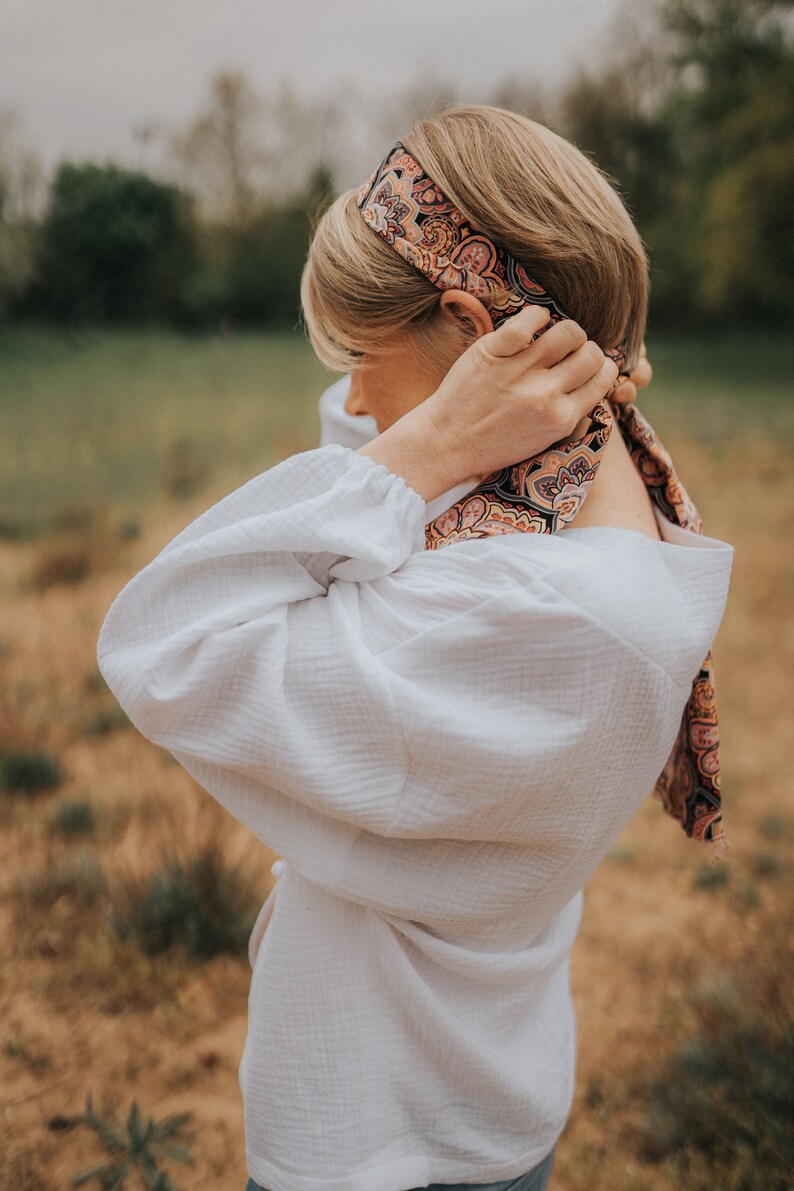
<point>109,421</point>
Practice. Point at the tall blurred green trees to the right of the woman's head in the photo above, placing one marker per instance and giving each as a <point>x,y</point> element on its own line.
<point>697,133</point>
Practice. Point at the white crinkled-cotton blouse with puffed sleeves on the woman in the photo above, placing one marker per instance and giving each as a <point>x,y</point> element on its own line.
<point>442,746</point>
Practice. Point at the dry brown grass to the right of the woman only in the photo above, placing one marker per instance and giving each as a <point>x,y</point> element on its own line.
<point>666,931</point>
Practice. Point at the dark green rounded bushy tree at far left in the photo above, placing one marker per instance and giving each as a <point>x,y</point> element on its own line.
<point>115,246</point>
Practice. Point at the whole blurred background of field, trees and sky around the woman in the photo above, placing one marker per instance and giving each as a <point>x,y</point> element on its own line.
<point>160,171</point>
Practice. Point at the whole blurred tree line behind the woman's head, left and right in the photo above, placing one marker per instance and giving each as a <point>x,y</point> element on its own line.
<point>692,121</point>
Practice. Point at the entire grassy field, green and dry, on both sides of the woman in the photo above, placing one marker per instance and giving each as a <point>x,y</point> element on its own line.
<point>127,894</point>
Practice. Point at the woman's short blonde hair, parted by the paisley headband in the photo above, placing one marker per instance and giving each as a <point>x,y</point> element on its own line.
<point>532,192</point>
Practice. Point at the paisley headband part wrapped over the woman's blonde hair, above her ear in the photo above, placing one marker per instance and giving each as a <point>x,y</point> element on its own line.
<point>412,214</point>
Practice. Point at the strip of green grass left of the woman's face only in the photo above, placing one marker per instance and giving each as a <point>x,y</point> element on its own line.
<point>98,422</point>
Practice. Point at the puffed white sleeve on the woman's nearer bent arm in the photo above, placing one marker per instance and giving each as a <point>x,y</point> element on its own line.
<point>239,652</point>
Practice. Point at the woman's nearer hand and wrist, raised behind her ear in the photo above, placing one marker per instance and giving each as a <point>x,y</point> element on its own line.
<point>509,397</point>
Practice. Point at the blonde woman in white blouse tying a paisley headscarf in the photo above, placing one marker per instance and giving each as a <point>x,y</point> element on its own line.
<point>440,675</point>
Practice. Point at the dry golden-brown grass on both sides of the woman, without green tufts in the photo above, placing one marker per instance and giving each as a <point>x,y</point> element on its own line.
<point>665,944</point>
